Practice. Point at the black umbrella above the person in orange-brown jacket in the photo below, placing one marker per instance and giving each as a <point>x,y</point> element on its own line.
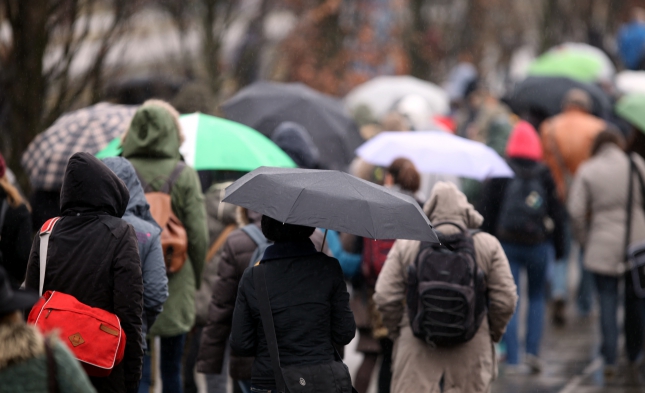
<point>537,97</point>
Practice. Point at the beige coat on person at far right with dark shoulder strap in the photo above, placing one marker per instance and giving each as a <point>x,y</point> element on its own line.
<point>598,208</point>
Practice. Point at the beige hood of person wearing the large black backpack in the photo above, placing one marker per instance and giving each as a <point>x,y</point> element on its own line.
<point>447,203</point>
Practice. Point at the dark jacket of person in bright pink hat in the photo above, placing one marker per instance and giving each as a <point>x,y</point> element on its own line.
<point>493,195</point>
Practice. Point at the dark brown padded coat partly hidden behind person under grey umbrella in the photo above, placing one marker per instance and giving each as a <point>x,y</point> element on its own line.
<point>234,260</point>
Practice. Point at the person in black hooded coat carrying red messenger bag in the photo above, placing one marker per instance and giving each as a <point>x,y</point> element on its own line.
<point>93,255</point>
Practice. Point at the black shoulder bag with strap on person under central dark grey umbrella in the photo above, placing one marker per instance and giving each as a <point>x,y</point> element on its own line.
<point>330,377</point>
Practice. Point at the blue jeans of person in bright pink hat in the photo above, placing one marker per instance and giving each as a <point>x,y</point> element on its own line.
<point>535,260</point>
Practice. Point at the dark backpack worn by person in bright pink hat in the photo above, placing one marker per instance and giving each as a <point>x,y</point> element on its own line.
<point>524,209</point>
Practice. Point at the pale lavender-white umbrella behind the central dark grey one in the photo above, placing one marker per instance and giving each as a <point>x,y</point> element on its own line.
<point>436,152</point>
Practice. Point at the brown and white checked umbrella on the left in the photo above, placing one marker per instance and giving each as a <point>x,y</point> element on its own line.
<point>85,130</point>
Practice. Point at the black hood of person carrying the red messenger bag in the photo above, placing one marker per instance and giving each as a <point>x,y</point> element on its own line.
<point>91,187</point>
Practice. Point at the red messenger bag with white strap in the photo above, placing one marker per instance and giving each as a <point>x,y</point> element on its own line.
<point>93,335</point>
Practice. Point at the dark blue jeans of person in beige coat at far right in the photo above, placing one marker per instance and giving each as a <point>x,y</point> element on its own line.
<point>608,296</point>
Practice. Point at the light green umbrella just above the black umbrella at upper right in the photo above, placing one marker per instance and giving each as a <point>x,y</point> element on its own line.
<point>584,67</point>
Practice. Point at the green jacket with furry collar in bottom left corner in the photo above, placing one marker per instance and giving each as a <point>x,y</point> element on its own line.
<point>23,363</point>
